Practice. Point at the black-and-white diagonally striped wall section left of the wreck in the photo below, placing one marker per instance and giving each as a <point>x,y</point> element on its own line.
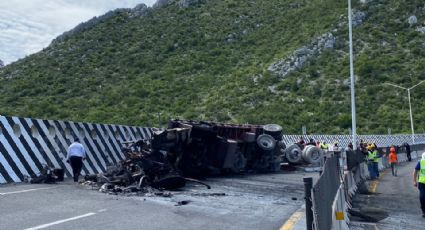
<point>27,144</point>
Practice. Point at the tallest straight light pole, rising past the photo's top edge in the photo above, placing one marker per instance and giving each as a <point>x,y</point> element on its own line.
<point>353,100</point>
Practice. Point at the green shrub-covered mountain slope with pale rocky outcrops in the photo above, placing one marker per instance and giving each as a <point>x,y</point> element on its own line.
<point>283,62</point>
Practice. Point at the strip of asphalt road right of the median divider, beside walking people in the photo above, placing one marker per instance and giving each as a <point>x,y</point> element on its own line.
<point>396,200</point>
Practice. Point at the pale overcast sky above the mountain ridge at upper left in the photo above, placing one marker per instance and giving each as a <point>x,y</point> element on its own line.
<point>27,26</point>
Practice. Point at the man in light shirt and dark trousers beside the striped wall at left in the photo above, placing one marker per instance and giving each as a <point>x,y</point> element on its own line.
<point>76,155</point>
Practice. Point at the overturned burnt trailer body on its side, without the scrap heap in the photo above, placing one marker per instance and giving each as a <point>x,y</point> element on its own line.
<point>198,148</point>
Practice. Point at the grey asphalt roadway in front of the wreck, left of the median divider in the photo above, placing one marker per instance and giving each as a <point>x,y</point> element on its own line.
<point>240,202</point>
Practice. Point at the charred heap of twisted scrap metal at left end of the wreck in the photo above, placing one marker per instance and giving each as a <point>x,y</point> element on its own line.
<point>145,170</point>
